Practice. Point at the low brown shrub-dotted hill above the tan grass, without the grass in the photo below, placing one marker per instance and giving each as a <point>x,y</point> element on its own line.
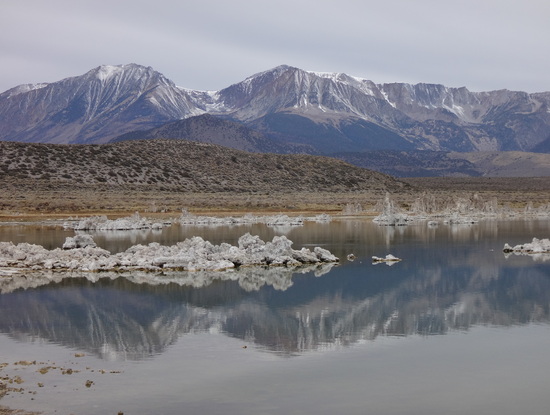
<point>184,166</point>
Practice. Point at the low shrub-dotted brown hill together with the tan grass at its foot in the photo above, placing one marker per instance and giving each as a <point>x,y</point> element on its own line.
<point>138,174</point>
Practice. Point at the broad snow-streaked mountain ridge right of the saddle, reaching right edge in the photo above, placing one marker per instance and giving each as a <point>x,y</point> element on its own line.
<point>336,109</point>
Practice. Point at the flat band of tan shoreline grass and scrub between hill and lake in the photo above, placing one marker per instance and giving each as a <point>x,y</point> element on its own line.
<point>23,200</point>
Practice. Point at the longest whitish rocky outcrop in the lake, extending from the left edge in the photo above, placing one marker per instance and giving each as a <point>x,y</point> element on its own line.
<point>194,254</point>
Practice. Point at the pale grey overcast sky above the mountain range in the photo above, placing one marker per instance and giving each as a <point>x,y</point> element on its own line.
<point>211,44</point>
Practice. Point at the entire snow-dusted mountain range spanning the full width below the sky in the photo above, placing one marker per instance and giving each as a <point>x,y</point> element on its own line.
<point>318,112</point>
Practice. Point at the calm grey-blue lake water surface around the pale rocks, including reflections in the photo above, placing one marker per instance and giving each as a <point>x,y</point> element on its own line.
<point>454,328</point>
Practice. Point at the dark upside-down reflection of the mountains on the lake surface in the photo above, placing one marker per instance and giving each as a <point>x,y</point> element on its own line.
<point>449,280</point>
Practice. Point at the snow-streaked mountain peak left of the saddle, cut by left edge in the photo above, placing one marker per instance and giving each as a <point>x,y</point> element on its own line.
<point>92,108</point>
